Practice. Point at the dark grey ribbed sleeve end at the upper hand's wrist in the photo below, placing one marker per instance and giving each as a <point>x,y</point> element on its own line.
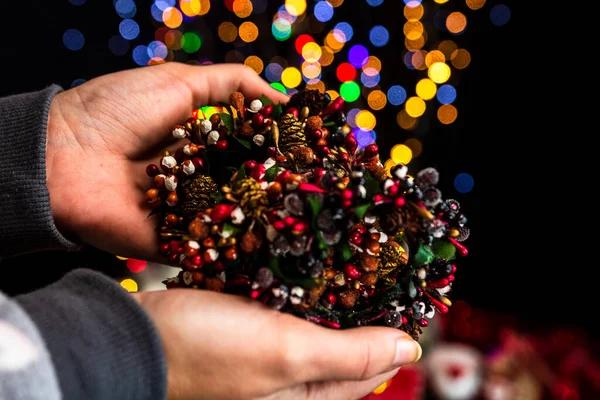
<point>26,218</point>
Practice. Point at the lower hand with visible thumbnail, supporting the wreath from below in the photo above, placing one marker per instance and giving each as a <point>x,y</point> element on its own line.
<point>221,346</point>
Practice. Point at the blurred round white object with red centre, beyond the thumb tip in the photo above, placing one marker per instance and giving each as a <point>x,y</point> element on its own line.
<point>454,371</point>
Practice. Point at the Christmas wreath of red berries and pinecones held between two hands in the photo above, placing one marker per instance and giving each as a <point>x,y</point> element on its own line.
<point>280,204</point>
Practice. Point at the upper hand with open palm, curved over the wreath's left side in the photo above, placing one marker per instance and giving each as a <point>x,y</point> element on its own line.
<point>103,134</point>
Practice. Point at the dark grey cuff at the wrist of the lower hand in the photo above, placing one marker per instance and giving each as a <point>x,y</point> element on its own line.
<point>101,341</point>
